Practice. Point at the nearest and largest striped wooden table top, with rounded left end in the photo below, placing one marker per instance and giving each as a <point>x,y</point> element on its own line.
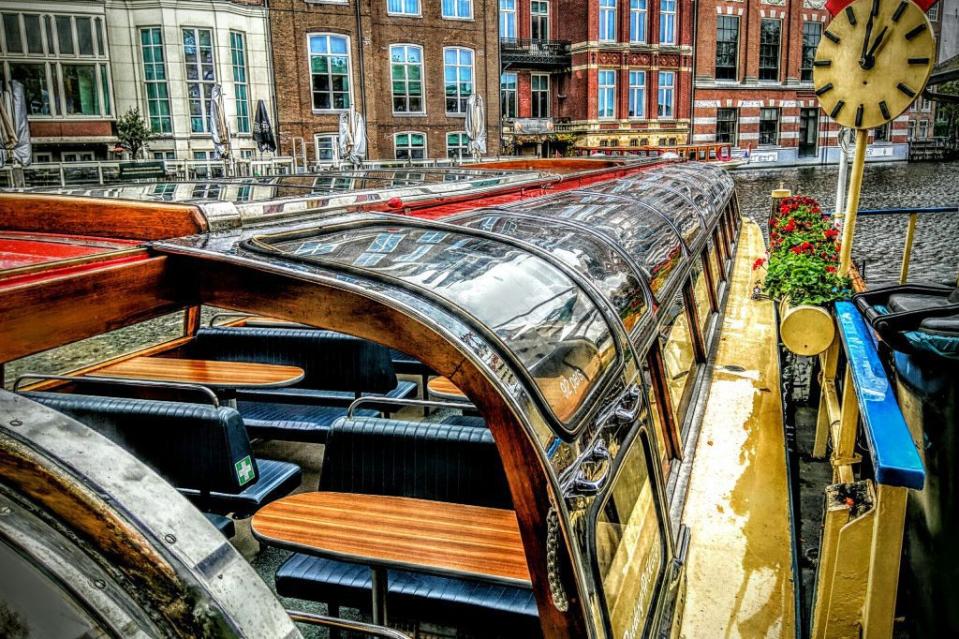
<point>399,532</point>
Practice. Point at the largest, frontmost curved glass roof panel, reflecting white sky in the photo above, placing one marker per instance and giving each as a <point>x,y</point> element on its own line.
<point>554,329</point>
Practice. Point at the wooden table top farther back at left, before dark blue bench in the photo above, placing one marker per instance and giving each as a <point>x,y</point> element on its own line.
<point>200,371</point>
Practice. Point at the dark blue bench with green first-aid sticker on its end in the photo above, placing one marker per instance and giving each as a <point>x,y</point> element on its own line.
<point>202,450</point>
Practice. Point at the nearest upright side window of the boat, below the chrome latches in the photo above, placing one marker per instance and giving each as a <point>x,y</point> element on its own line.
<point>630,546</point>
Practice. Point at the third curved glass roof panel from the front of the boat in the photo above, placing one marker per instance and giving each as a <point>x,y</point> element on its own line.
<point>644,235</point>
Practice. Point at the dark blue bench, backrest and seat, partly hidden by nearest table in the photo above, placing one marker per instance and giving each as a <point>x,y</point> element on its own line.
<point>426,460</point>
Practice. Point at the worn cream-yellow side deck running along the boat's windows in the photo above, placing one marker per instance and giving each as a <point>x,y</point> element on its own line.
<point>740,581</point>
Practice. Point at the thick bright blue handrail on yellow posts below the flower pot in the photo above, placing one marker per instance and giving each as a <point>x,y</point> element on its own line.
<point>894,456</point>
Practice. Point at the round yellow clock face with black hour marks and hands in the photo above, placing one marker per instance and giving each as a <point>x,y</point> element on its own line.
<point>873,61</point>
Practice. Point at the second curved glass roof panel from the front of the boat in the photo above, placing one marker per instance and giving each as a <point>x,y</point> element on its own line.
<point>593,258</point>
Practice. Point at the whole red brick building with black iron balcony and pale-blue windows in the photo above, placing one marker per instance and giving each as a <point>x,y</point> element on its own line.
<point>611,72</point>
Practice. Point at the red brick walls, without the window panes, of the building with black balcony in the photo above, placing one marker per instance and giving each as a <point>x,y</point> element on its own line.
<point>575,90</point>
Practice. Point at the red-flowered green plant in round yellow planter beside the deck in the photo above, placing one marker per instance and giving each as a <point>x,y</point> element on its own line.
<point>802,274</point>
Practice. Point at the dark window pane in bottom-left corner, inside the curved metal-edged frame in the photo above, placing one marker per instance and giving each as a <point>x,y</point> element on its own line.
<point>31,605</point>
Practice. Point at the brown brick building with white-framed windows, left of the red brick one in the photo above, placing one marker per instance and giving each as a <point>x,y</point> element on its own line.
<point>407,65</point>
